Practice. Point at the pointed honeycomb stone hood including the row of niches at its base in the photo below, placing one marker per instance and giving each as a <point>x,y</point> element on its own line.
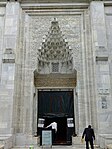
<point>55,49</point>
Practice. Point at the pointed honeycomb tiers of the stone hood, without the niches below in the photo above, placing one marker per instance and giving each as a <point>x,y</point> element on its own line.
<point>54,45</point>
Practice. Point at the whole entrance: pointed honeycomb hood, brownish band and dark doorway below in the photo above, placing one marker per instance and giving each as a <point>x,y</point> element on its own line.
<point>56,70</point>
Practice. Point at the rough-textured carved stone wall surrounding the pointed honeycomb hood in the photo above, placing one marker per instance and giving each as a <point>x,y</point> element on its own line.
<point>72,33</point>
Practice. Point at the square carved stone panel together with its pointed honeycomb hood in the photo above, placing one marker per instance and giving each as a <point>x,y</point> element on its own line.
<point>68,35</point>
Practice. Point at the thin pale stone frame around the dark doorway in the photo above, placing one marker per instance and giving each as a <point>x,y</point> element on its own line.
<point>35,106</point>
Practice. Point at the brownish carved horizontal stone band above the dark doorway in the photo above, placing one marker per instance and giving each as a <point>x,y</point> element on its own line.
<point>55,80</point>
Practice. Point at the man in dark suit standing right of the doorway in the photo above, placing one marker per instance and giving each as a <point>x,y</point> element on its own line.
<point>89,136</point>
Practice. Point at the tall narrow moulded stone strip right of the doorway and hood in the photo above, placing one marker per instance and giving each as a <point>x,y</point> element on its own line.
<point>83,83</point>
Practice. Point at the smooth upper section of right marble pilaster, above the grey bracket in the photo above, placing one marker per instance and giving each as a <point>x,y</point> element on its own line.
<point>98,24</point>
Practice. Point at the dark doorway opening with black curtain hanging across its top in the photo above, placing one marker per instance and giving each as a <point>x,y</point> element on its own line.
<point>57,106</point>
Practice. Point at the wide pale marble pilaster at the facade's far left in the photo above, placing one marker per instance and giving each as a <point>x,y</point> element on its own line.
<point>9,56</point>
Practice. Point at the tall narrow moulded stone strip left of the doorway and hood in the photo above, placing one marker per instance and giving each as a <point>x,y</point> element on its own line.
<point>29,66</point>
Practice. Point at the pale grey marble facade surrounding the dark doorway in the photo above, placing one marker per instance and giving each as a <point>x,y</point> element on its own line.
<point>85,28</point>
